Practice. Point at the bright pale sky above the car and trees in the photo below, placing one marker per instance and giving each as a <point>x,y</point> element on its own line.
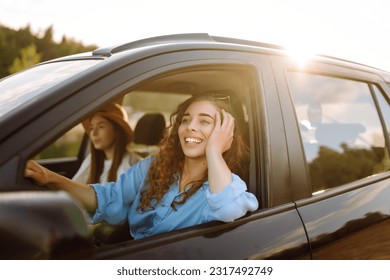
<point>356,30</point>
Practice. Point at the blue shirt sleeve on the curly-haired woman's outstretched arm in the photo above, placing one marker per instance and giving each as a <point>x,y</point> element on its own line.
<point>115,199</point>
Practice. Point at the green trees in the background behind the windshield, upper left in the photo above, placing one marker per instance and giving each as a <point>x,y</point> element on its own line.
<point>21,48</point>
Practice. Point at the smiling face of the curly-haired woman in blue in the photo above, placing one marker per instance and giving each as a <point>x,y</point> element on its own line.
<point>195,128</point>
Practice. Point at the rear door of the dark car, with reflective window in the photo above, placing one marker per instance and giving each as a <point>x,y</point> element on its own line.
<point>342,116</point>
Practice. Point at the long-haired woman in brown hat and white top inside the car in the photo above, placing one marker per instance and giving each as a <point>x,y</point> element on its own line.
<point>109,133</point>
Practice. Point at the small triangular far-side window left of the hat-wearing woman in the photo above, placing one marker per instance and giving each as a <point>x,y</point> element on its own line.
<point>68,145</point>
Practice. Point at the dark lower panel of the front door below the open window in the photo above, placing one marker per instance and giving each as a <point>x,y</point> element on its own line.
<point>270,234</point>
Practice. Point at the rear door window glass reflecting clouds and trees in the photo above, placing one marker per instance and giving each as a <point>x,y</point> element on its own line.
<point>341,130</point>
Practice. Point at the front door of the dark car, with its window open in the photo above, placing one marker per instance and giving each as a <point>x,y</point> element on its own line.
<point>275,230</point>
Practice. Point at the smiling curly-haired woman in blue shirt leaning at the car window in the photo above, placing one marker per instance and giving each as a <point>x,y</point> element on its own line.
<point>193,179</point>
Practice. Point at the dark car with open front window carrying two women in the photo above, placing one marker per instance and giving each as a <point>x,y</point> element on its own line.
<point>318,135</point>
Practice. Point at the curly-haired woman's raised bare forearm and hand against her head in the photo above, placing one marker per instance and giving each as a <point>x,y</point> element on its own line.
<point>220,140</point>
